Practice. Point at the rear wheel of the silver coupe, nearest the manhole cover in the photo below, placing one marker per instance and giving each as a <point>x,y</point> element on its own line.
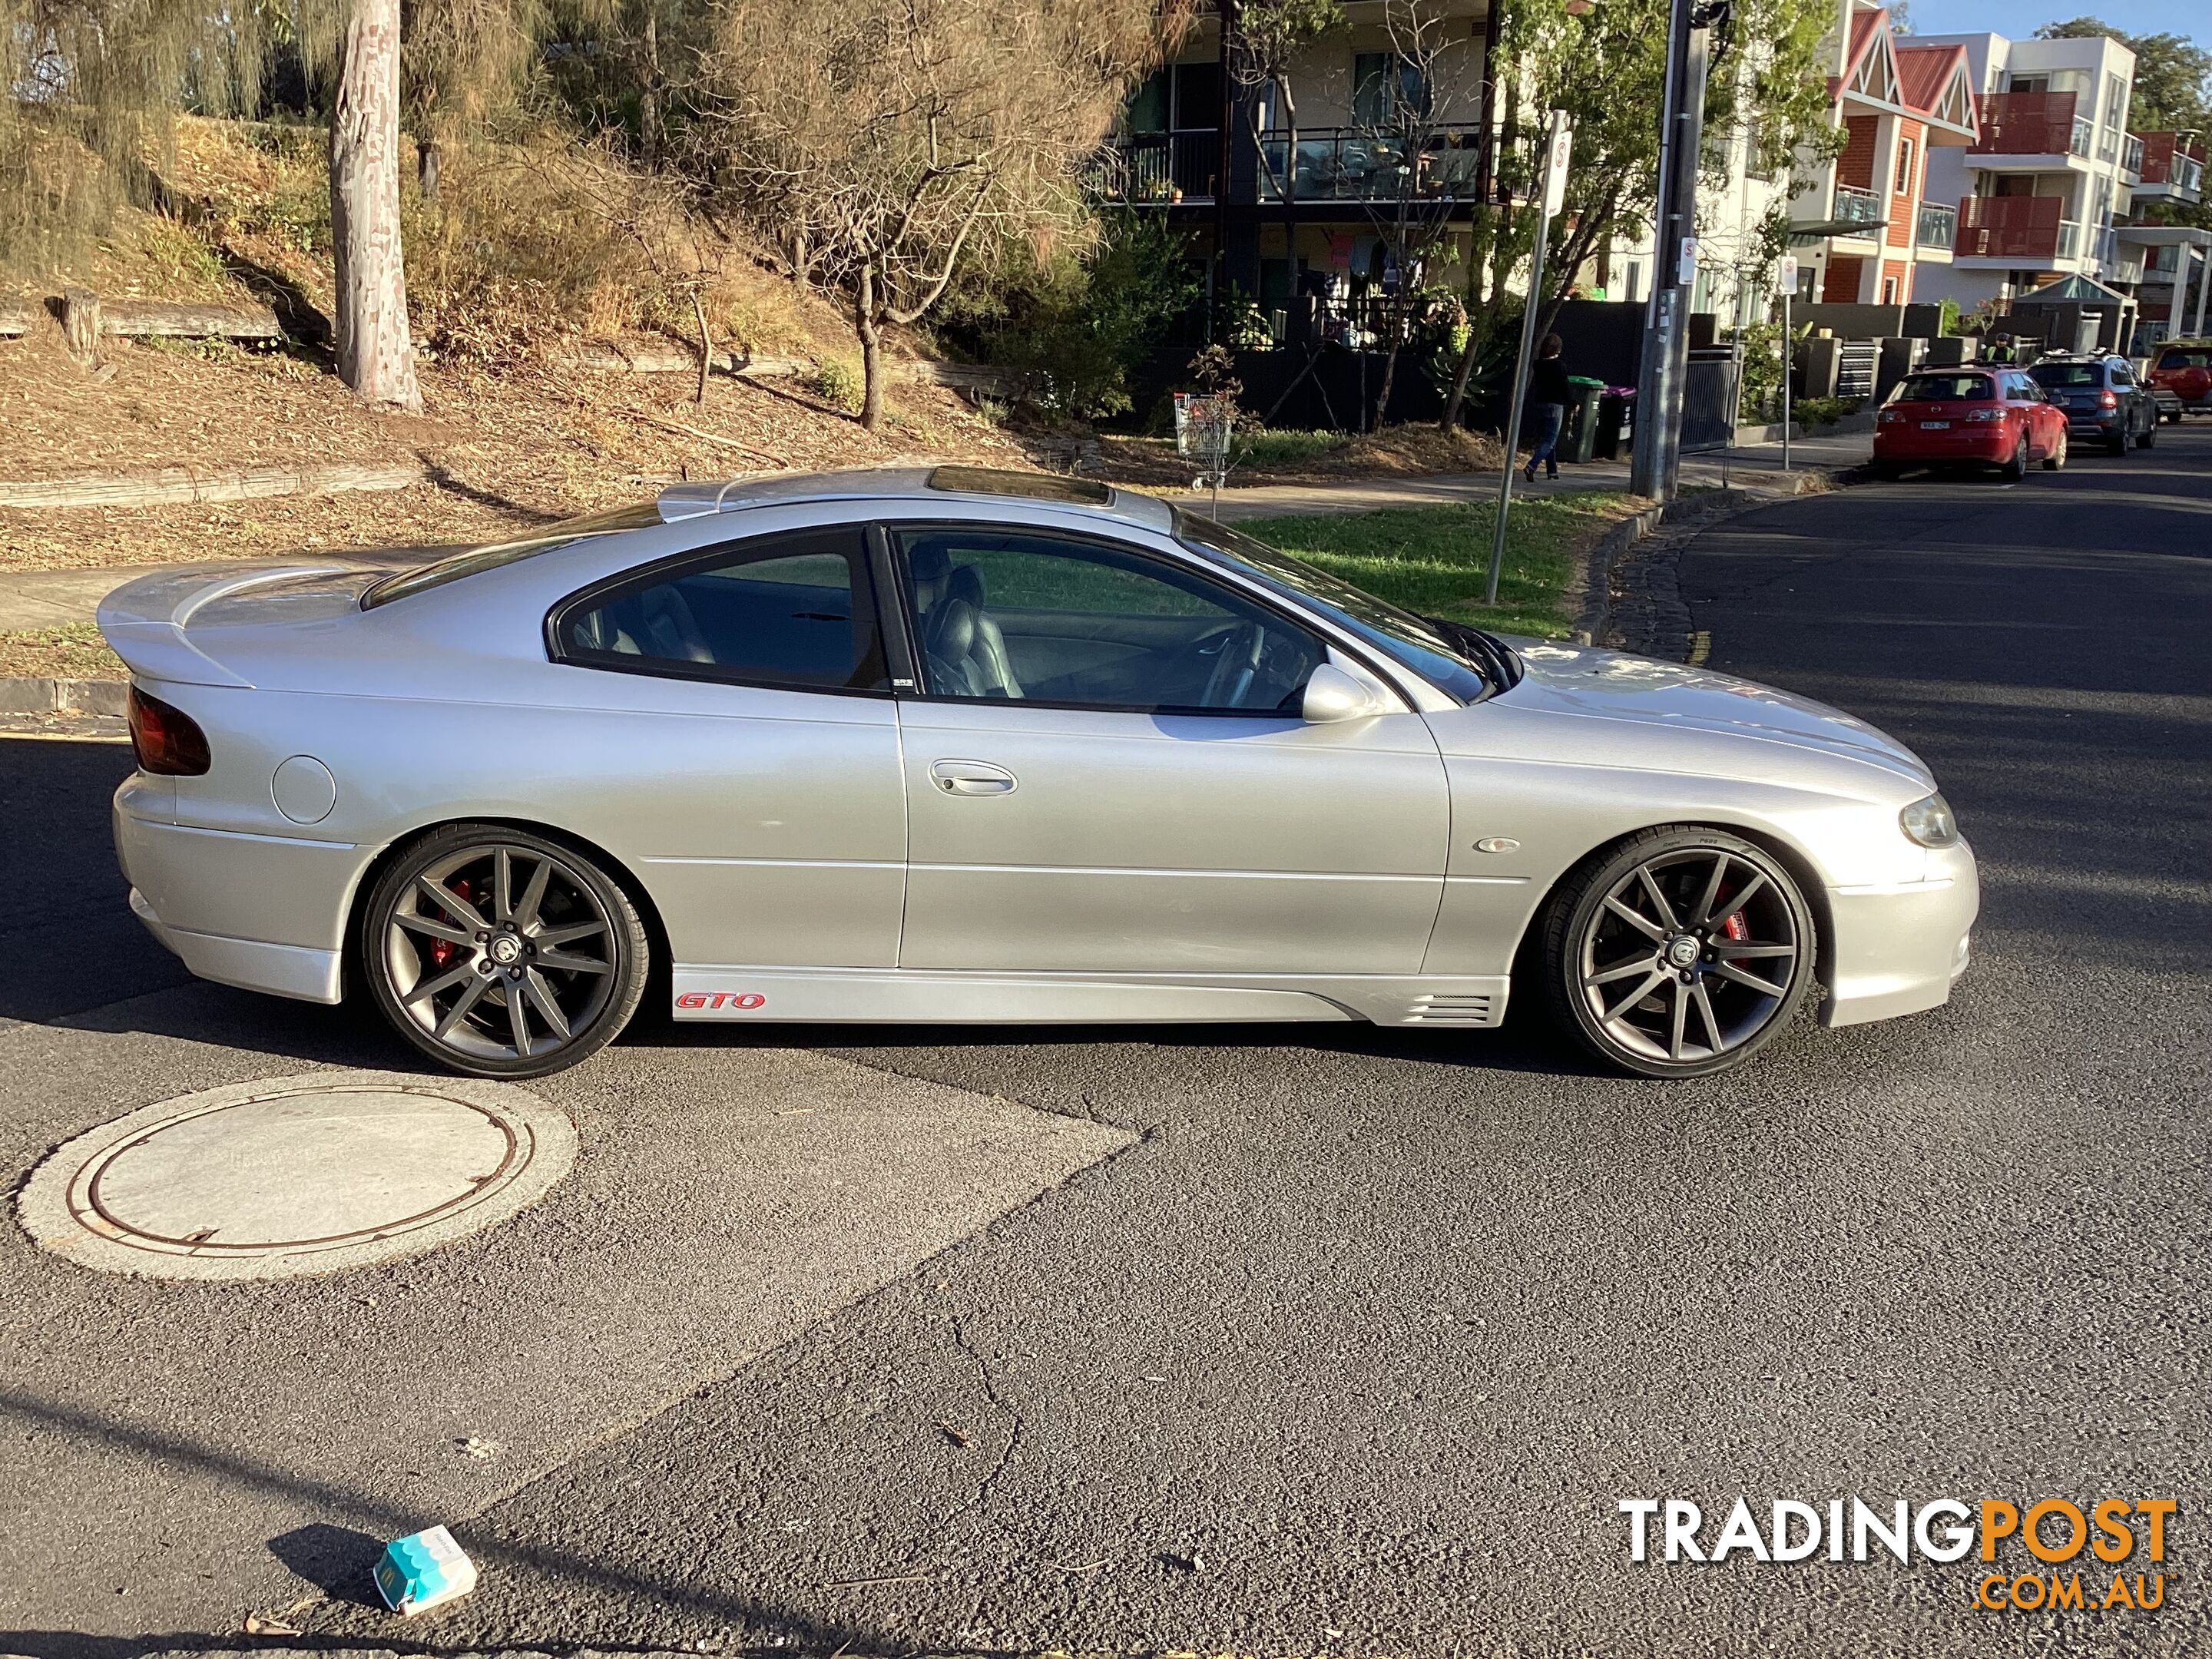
<point>503,954</point>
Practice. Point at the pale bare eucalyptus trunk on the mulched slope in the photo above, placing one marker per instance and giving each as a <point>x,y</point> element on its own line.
<point>375,353</point>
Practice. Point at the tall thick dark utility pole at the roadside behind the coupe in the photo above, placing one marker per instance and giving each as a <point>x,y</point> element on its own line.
<point>1658,450</point>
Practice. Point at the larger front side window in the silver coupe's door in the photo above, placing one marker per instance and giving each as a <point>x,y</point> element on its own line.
<point>1019,616</point>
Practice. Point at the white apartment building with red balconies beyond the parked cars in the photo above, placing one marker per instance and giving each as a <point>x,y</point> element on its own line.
<point>2049,178</point>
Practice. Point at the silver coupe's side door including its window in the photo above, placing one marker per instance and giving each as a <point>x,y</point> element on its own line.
<point>1107,771</point>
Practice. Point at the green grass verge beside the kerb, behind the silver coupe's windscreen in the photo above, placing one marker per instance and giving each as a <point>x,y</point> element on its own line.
<point>1437,559</point>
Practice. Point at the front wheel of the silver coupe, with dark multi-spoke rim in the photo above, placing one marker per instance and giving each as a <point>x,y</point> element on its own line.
<point>1678,952</point>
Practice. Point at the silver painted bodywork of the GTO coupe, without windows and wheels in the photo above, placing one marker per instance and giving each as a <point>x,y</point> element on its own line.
<point>808,859</point>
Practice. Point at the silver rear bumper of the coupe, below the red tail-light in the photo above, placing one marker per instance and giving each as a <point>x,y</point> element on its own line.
<point>260,912</point>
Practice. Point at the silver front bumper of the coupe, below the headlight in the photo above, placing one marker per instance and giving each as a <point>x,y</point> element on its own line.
<point>1897,948</point>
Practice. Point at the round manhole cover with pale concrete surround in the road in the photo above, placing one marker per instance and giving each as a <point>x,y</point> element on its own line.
<point>295,1176</point>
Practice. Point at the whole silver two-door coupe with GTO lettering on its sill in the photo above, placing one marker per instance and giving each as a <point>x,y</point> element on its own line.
<point>992,749</point>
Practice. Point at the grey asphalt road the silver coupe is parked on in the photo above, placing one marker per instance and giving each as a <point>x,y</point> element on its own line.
<point>1361,1337</point>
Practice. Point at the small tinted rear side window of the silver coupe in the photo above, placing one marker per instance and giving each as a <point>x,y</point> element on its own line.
<point>784,612</point>
